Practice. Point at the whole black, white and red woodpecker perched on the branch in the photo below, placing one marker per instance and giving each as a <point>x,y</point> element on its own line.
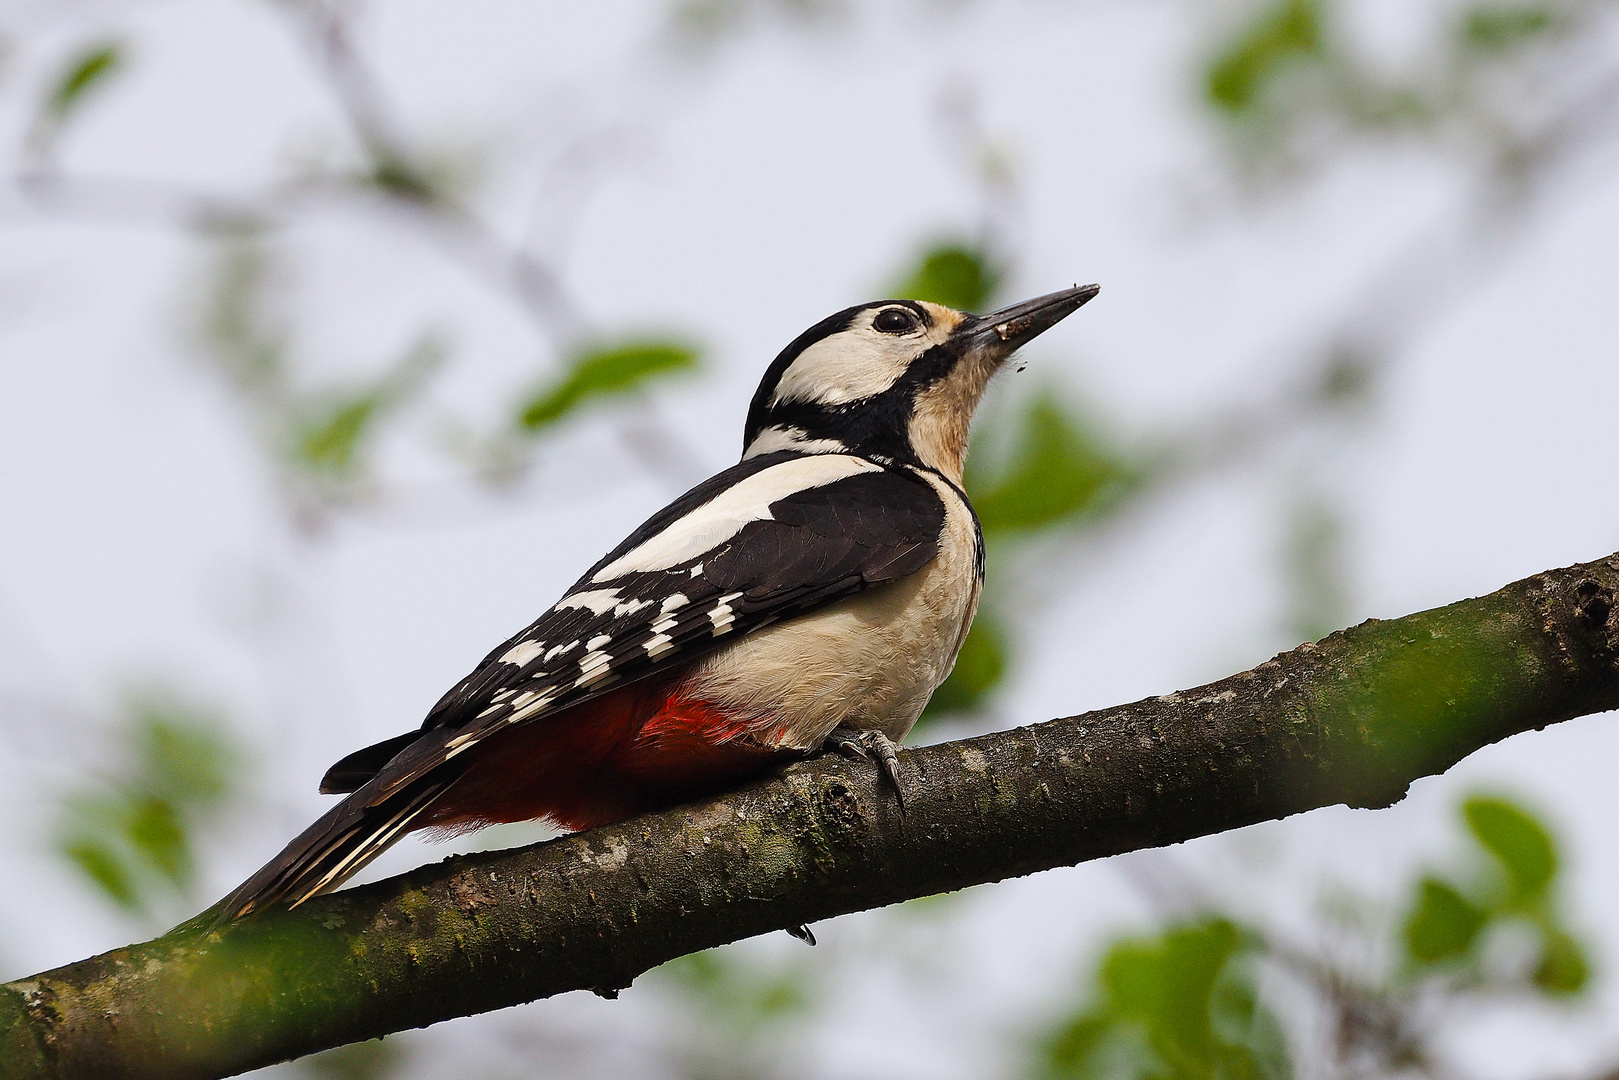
<point>810,597</point>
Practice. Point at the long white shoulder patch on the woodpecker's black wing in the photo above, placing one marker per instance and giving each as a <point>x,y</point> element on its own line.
<point>723,517</point>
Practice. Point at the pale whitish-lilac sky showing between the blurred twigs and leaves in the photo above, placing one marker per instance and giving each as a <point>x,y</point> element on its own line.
<point>742,200</point>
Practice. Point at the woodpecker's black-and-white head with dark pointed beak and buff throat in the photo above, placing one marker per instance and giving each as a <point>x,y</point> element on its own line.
<point>896,380</point>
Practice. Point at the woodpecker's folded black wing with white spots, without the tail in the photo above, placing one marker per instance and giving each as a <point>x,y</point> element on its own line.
<point>801,551</point>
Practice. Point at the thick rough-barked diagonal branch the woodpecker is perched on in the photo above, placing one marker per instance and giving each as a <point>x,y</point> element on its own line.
<point>1351,720</point>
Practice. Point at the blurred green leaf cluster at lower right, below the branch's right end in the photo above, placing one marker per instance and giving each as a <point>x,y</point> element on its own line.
<point>1513,883</point>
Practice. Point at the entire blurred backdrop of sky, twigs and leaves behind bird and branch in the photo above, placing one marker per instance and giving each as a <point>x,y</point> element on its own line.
<point>336,339</point>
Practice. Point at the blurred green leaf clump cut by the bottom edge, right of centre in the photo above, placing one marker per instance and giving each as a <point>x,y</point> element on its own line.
<point>1178,1006</point>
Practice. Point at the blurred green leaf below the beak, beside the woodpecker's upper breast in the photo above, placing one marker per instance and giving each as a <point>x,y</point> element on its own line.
<point>1060,470</point>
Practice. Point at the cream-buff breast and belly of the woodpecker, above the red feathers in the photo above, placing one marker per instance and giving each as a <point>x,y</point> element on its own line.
<point>870,661</point>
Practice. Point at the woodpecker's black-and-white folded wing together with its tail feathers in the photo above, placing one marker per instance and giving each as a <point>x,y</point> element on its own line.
<point>771,538</point>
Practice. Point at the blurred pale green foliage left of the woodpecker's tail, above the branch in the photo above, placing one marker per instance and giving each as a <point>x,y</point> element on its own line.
<point>130,835</point>
